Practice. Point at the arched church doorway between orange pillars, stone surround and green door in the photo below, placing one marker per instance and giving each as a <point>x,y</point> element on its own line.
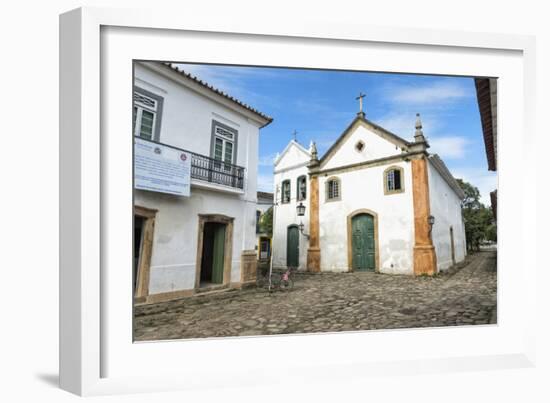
<point>363,241</point>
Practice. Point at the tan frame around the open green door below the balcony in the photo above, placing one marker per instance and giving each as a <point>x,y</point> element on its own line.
<point>227,251</point>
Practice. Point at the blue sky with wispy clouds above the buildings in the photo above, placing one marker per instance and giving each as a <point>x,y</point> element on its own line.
<point>320,104</point>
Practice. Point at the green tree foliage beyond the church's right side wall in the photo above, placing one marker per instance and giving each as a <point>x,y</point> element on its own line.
<point>478,219</point>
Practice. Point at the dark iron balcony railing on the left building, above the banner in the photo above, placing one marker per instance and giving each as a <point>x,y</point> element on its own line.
<point>208,169</point>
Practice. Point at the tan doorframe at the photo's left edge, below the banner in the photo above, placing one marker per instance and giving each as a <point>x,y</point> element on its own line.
<point>144,264</point>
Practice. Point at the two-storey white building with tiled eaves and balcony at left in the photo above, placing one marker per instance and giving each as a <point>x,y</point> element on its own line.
<point>207,240</point>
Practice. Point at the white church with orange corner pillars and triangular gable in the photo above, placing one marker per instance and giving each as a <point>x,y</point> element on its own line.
<point>374,201</point>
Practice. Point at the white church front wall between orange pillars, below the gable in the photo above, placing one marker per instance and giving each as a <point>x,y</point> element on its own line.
<point>364,189</point>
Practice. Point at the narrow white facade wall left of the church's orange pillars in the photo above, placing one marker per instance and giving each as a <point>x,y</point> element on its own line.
<point>291,165</point>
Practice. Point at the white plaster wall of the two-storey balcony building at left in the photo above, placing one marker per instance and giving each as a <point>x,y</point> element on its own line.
<point>186,122</point>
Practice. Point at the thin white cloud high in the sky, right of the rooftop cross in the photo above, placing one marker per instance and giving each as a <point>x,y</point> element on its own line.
<point>434,93</point>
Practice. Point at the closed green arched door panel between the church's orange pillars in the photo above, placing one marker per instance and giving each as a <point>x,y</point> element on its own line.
<point>362,232</point>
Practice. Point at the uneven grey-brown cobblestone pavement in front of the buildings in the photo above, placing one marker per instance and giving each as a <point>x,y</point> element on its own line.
<point>328,302</point>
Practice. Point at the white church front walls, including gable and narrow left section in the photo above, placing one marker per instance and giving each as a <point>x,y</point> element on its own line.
<point>360,189</point>
